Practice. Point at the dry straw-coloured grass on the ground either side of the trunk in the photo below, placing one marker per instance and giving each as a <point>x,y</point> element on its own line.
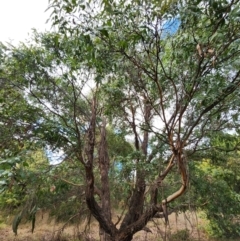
<point>48,230</point>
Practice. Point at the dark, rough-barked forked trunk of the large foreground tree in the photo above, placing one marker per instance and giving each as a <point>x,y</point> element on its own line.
<point>136,218</point>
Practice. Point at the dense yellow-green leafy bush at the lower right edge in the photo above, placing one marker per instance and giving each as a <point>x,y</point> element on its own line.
<point>216,189</point>
